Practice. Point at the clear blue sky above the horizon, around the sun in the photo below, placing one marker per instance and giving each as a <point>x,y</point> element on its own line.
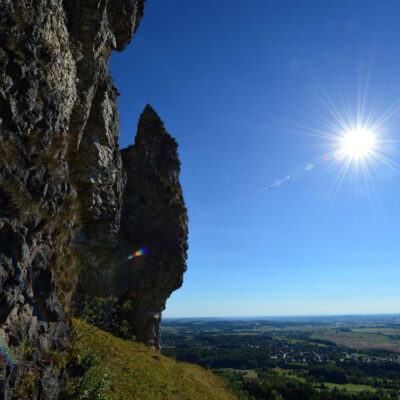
<point>244,86</point>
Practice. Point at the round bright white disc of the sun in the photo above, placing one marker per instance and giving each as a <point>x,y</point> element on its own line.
<point>357,144</point>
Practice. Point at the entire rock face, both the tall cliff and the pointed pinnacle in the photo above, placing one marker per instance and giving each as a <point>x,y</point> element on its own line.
<point>62,182</point>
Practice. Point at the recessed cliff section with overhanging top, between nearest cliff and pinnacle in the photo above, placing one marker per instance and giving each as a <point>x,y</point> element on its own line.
<point>97,28</point>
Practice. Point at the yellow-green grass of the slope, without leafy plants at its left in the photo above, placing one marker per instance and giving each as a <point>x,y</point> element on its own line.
<point>143,374</point>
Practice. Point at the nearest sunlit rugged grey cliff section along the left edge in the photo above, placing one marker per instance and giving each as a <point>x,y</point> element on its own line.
<point>37,94</point>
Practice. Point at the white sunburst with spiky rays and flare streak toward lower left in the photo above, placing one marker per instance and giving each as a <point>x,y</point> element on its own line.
<point>361,145</point>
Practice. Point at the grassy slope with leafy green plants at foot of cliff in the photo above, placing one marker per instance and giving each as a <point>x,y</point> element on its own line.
<point>111,368</point>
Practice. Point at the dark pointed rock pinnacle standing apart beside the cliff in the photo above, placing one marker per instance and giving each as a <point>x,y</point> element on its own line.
<point>154,219</point>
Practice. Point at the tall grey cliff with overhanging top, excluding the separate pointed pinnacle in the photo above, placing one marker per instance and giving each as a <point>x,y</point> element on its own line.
<point>61,176</point>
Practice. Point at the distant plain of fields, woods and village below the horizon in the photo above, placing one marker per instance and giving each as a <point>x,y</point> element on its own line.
<point>300,358</point>
